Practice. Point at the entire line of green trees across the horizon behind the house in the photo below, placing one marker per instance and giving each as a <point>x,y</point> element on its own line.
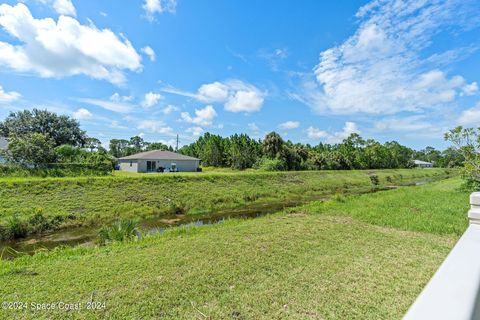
<point>40,139</point>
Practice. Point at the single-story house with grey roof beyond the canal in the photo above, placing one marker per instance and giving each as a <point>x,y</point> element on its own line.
<point>158,161</point>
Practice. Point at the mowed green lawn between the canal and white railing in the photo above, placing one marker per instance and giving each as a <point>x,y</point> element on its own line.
<point>360,257</point>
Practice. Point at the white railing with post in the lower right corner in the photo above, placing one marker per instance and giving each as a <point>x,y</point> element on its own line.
<point>453,292</point>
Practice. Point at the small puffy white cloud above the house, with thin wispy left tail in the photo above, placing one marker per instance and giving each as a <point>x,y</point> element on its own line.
<point>236,95</point>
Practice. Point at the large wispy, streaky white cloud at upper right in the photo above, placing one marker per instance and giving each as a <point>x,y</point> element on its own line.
<point>381,68</point>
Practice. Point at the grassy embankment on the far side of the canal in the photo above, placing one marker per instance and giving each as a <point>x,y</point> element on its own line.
<point>50,203</point>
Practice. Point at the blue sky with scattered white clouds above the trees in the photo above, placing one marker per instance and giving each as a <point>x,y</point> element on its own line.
<point>314,71</point>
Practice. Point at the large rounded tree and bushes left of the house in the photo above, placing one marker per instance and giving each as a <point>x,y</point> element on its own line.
<point>41,143</point>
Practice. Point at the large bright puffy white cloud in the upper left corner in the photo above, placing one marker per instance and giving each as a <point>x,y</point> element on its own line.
<point>65,47</point>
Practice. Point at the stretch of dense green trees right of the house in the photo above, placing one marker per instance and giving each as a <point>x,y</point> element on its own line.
<point>239,151</point>
